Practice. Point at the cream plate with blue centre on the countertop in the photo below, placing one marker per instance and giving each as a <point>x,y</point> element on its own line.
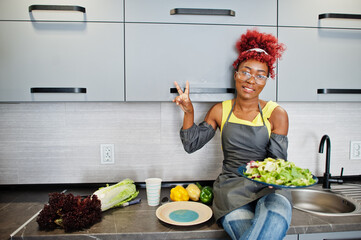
<point>184,213</point>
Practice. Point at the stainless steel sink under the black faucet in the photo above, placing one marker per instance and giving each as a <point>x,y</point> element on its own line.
<point>341,200</point>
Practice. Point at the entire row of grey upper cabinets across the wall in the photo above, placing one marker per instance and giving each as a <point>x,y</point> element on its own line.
<point>110,50</point>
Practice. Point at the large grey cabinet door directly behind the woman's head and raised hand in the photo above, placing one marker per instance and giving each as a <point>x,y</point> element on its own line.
<point>159,54</point>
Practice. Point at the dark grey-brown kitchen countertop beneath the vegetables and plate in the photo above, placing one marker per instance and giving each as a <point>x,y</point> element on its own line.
<point>20,204</point>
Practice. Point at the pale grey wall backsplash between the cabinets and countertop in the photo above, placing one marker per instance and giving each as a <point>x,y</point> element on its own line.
<point>60,142</point>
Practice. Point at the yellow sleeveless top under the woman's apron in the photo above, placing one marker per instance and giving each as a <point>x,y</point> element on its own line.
<point>257,121</point>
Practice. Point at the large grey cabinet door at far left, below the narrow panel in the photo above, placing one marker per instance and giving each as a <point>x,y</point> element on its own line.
<point>61,55</point>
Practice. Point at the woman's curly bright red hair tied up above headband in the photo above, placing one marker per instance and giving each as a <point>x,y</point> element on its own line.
<point>254,39</point>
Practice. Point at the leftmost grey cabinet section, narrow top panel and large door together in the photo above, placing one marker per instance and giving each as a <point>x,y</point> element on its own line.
<point>61,51</point>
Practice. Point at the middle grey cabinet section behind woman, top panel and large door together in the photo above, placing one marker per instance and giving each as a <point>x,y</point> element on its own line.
<point>162,47</point>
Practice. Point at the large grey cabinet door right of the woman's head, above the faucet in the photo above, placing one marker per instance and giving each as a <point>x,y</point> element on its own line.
<point>320,65</point>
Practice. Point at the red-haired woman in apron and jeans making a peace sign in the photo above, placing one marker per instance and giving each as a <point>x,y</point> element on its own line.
<point>251,129</point>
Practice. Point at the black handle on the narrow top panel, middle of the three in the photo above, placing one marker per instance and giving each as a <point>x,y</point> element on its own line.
<point>202,11</point>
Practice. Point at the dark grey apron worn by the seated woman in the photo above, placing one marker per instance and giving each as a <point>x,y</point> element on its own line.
<point>241,144</point>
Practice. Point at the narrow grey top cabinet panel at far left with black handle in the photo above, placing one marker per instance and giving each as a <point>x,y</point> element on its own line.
<point>62,10</point>
